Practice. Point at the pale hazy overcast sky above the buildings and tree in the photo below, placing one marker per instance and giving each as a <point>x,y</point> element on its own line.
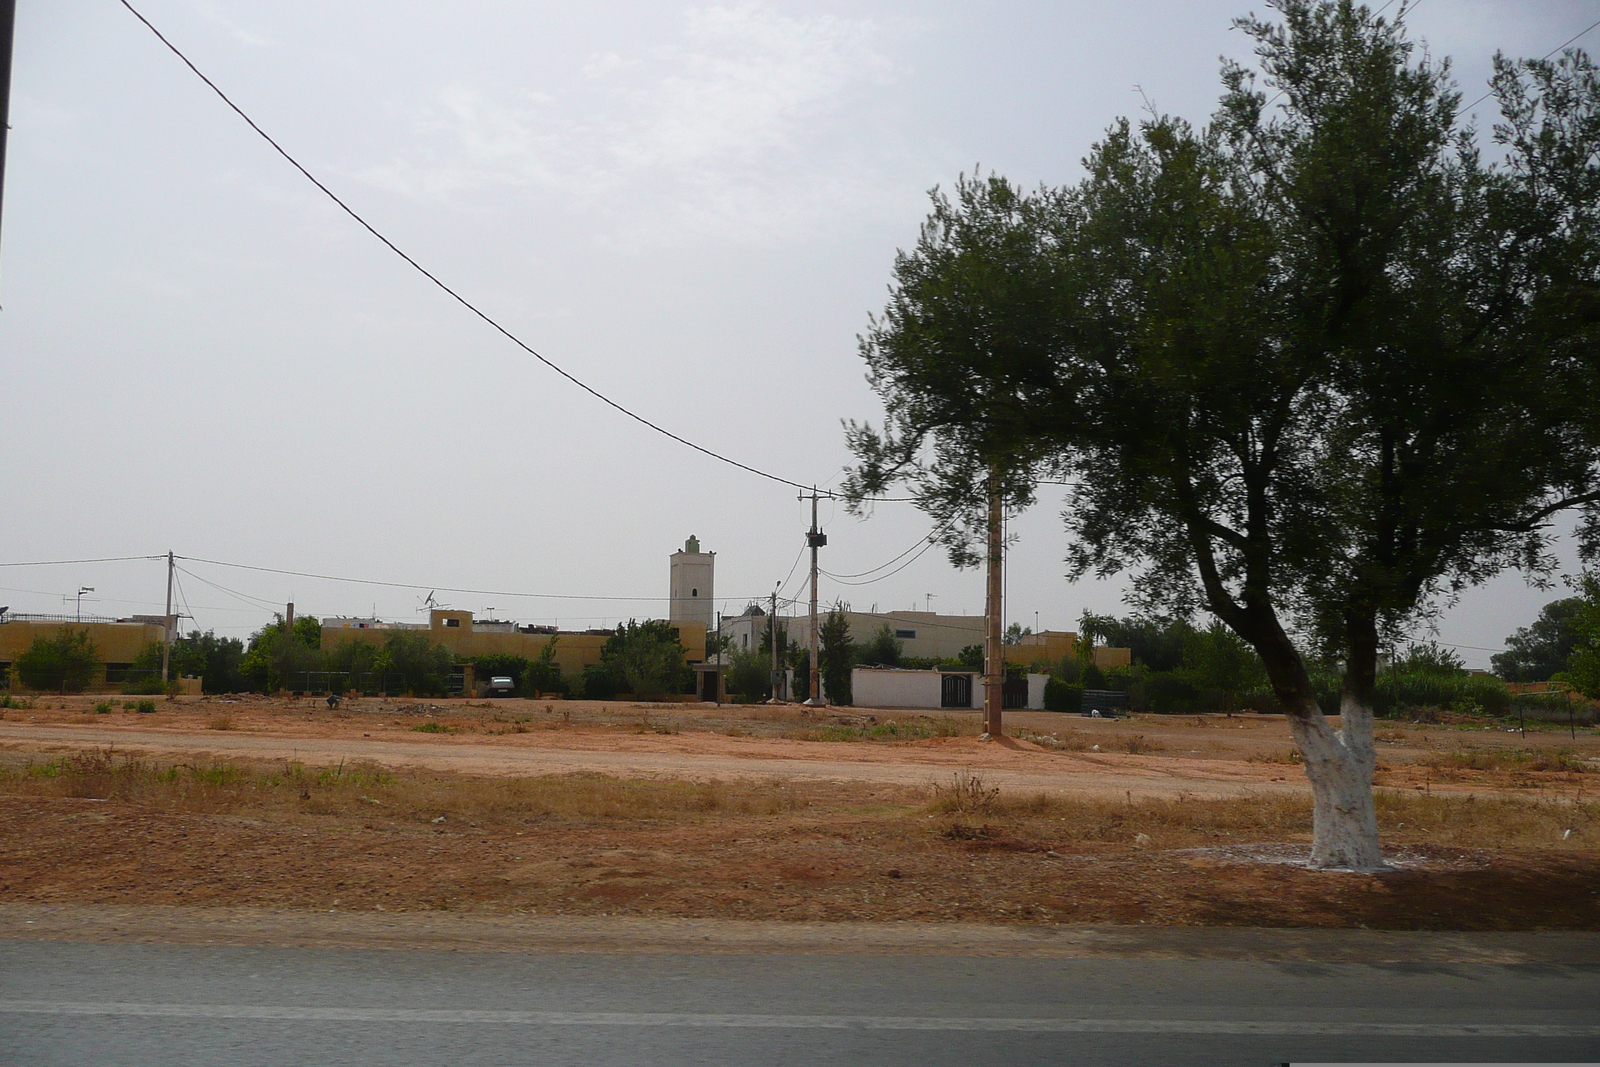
<point>690,207</point>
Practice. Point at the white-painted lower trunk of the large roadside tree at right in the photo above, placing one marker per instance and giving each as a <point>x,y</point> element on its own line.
<point>1340,765</point>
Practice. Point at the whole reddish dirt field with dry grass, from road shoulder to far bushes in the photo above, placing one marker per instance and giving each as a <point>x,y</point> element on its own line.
<point>694,812</point>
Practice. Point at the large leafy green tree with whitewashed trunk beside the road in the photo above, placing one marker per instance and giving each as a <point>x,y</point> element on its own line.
<point>1311,369</point>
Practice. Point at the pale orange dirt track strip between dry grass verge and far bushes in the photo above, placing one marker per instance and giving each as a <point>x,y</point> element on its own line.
<point>1065,756</point>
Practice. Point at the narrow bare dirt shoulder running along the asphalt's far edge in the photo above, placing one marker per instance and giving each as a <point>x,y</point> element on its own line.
<point>537,933</point>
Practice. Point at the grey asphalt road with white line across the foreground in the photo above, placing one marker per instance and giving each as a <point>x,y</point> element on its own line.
<point>126,1004</point>
